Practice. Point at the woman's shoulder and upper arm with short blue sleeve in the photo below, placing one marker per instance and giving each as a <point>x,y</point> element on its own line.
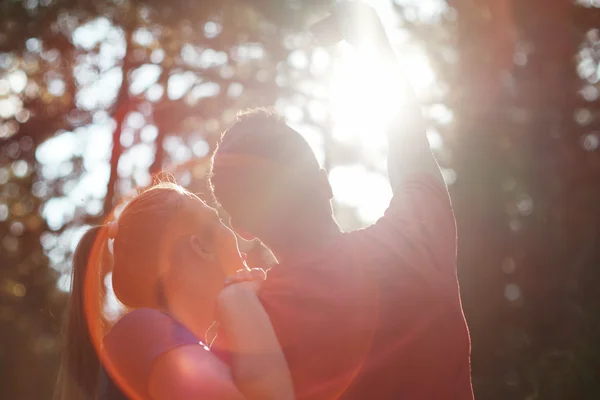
<point>149,355</point>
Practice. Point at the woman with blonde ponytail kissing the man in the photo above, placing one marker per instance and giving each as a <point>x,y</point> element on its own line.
<point>171,257</point>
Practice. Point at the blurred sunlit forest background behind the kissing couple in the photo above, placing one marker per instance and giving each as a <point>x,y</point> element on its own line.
<point>96,96</point>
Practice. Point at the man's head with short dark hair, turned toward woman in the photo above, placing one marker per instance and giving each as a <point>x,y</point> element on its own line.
<point>267,178</point>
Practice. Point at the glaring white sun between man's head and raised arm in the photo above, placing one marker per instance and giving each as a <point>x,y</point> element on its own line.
<point>365,94</point>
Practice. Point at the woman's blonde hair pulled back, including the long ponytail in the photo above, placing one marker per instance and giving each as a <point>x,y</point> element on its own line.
<point>141,226</point>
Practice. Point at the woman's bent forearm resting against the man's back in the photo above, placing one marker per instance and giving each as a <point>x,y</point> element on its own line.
<point>259,366</point>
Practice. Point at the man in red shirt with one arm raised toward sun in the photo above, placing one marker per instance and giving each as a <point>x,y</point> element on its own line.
<point>374,313</point>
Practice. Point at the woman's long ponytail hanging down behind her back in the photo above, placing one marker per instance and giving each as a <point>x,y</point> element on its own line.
<point>80,365</point>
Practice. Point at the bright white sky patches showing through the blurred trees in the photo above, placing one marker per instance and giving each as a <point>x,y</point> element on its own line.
<point>353,116</point>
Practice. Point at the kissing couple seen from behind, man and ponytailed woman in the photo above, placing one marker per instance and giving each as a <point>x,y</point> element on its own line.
<point>369,314</point>
